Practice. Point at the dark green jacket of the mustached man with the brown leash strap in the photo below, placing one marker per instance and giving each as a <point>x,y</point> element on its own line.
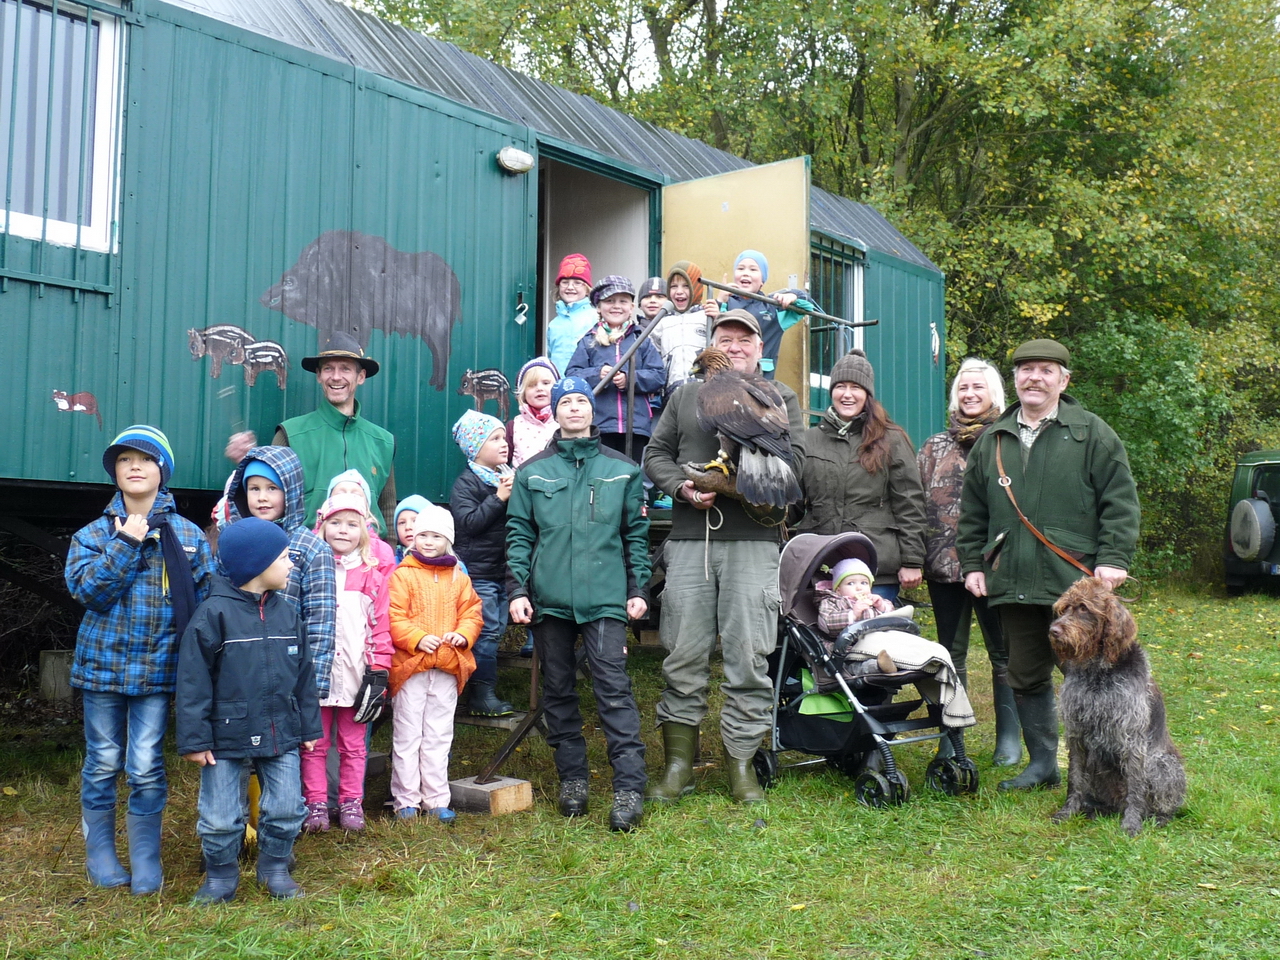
<point>1077,490</point>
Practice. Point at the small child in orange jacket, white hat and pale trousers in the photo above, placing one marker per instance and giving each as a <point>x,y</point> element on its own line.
<point>436,620</point>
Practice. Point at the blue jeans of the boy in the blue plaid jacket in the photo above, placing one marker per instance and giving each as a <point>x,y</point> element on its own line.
<point>125,734</point>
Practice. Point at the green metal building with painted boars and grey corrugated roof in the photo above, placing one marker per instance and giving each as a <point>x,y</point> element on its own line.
<point>199,188</point>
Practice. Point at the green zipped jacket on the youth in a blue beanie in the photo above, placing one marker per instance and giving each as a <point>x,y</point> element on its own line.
<point>578,533</point>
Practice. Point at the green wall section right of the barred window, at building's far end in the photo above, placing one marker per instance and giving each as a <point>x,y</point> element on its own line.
<point>907,300</point>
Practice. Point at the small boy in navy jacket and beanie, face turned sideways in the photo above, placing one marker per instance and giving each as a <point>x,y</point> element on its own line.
<point>248,693</point>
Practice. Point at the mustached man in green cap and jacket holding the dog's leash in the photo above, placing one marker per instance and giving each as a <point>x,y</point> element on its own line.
<point>1069,474</point>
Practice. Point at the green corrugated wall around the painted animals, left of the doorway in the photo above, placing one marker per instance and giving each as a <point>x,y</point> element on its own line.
<point>235,163</point>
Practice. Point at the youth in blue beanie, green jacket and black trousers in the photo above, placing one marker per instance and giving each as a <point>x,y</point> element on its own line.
<point>578,554</point>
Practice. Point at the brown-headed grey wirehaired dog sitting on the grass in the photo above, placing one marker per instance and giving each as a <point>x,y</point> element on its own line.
<point>1122,757</point>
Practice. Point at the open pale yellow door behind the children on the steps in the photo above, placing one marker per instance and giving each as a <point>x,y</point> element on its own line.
<point>766,208</point>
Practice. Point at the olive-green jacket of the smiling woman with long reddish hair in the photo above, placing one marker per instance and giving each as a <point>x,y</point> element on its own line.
<point>842,496</point>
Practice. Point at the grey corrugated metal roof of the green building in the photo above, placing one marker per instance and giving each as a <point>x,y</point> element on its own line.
<point>341,33</point>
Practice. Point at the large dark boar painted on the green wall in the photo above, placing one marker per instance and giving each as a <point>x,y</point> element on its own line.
<point>358,284</point>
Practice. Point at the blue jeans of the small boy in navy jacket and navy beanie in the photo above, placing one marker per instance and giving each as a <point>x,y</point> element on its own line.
<point>222,807</point>
